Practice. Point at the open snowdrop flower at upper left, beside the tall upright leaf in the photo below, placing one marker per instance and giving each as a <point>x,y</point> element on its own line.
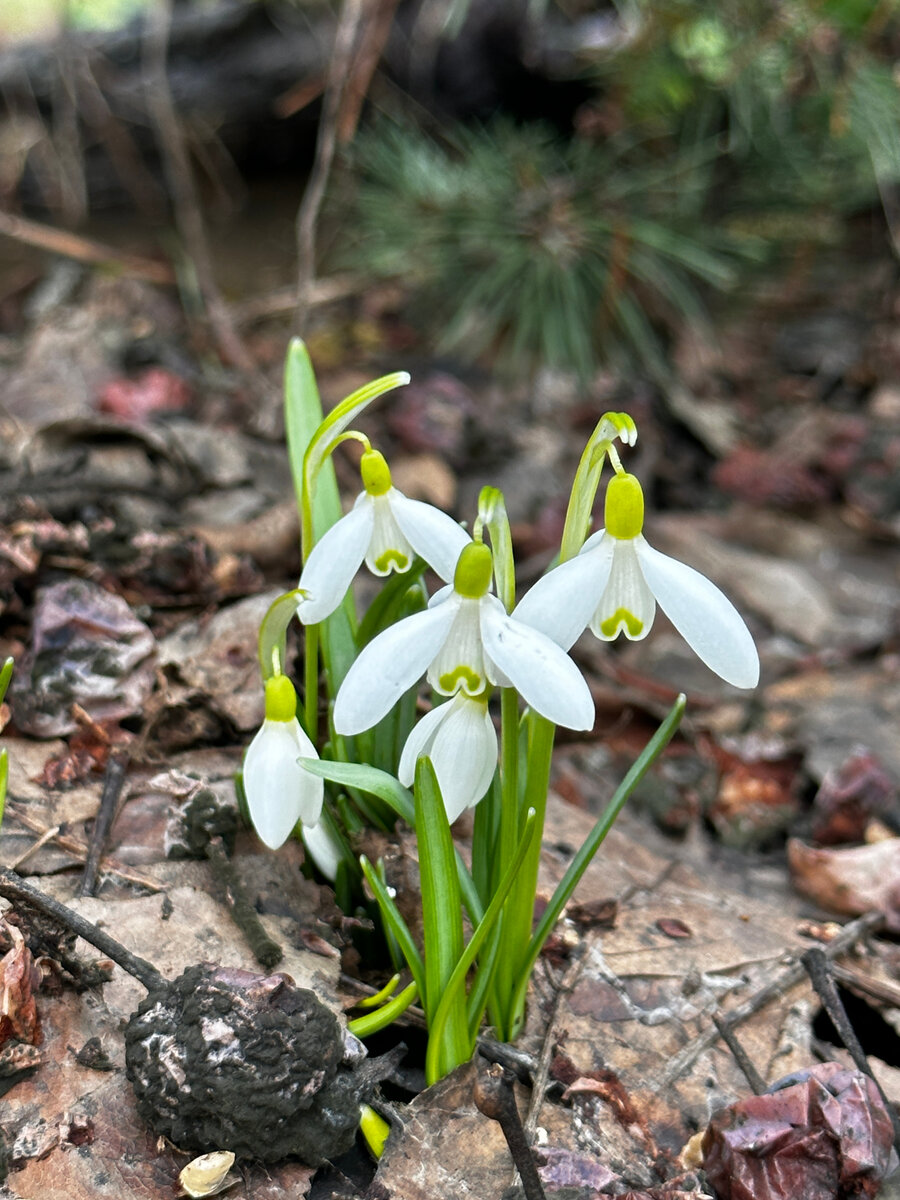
<point>386,529</point>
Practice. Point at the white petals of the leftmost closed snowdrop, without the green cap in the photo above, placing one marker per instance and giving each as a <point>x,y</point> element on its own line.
<point>279,791</point>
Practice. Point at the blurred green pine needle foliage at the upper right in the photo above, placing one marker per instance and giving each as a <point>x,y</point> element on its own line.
<point>716,136</point>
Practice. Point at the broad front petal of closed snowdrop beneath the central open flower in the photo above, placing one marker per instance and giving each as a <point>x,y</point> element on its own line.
<point>465,755</point>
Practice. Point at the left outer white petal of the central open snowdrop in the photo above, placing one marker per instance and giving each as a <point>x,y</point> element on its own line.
<point>391,665</point>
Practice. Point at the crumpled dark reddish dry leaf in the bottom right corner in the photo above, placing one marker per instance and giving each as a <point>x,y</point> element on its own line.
<point>823,1135</point>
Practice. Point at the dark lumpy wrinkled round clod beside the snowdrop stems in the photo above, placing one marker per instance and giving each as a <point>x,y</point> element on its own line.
<point>229,1060</point>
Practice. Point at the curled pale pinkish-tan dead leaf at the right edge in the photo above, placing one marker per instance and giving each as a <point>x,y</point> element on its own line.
<point>850,880</point>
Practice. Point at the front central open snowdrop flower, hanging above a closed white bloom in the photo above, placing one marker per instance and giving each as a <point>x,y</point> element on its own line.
<point>465,641</point>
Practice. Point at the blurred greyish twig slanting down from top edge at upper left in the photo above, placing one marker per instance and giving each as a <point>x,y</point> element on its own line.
<point>187,205</point>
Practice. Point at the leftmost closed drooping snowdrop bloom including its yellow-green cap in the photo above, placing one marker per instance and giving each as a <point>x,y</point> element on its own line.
<point>279,791</point>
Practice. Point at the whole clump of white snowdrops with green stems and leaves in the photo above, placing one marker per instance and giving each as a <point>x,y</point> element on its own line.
<point>374,759</point>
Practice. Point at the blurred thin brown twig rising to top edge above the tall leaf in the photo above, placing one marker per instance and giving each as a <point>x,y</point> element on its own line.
<point>309,212</point>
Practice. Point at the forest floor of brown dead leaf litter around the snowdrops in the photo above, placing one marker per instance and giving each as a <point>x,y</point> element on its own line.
<point>148,521</point>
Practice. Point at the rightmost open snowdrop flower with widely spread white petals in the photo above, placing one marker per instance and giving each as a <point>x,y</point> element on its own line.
<point>616,581</point>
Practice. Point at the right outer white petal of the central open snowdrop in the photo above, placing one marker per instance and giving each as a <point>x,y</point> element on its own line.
<point>539,670</point>
